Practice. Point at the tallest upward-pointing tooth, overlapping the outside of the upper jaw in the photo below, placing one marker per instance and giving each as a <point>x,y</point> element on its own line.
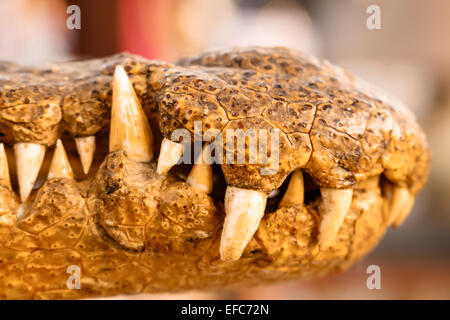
<point>130,130</point>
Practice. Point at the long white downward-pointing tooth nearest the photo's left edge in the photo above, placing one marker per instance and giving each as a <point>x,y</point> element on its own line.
<point>29,157</point>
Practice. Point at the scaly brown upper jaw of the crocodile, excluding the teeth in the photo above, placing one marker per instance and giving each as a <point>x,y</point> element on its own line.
<point>39,104</point>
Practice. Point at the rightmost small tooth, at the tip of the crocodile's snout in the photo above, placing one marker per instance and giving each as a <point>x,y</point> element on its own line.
<point>401,205</point>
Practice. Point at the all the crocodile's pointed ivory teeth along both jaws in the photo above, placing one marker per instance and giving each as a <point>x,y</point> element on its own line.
<point>130,132</point>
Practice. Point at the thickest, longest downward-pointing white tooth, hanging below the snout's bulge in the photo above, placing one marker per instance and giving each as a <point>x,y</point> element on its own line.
<point>244,210</point>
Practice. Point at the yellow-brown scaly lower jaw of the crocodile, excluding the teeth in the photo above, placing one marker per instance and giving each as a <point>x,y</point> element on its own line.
<point>180,244</point>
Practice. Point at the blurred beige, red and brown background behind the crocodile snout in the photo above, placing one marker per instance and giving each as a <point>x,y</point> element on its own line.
<point>408,57</point>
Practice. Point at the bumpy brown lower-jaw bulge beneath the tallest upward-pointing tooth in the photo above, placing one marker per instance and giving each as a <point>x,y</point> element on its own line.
<point>123,199</point>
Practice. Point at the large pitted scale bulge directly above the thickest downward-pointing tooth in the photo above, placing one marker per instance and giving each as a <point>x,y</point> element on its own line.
<point>261,173</point>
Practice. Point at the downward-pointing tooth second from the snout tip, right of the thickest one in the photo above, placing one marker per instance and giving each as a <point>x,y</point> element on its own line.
<point>334,207</point>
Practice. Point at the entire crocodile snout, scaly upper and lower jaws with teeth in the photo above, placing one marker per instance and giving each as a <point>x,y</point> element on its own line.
<point>96,184</point>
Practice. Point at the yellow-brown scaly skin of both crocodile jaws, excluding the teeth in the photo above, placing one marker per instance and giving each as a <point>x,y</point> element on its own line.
<point>131,230</point>
